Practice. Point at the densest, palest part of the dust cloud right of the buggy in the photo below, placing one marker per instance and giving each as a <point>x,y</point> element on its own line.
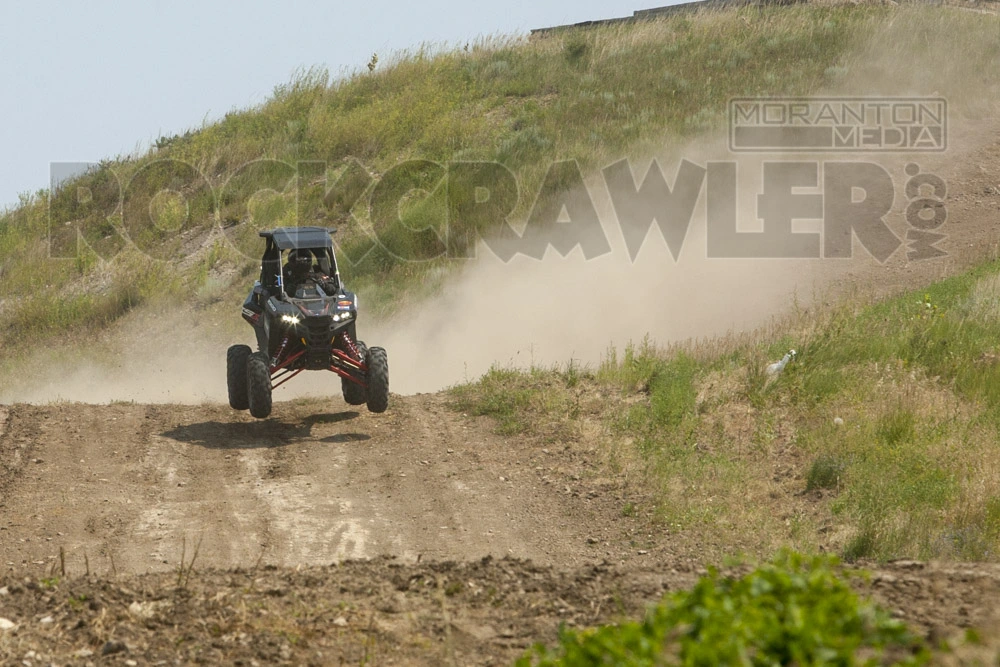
<point>550,311</point>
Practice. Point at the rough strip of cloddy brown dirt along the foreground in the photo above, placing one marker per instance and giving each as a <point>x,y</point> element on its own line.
<point>383,611</point>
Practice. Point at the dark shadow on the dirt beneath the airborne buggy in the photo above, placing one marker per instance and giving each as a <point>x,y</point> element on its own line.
<point>270,433</point>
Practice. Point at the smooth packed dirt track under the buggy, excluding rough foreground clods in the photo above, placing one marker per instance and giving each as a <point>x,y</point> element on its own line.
<point>129,487</point>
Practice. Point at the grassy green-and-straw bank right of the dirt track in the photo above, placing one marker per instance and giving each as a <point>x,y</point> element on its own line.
<point>890,410</point>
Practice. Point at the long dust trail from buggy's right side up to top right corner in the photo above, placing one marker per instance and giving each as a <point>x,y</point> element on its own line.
<point>550,311</point>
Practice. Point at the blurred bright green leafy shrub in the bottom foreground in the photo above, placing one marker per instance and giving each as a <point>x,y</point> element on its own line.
<point>798,610</point>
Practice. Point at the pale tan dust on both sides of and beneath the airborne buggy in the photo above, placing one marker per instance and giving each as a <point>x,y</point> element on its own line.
<point>513,314</point>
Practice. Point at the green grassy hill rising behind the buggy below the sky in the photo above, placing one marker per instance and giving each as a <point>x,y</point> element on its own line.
<point>592,95</point>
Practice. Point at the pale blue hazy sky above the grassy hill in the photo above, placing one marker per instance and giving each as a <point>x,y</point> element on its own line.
<point>82,81</point>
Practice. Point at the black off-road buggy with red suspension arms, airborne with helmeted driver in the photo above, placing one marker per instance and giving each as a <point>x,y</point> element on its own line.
<point>307,325</point>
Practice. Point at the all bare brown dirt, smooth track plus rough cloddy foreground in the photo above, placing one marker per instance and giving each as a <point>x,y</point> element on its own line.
<point>325,535</point>
